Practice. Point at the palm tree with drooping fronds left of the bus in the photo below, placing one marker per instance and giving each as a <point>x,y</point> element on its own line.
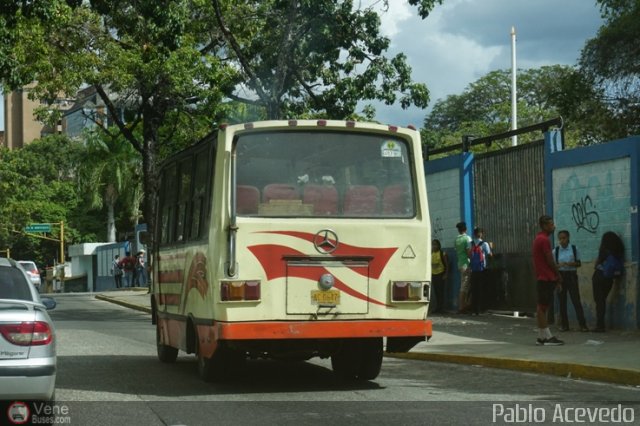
<point>111,170</point>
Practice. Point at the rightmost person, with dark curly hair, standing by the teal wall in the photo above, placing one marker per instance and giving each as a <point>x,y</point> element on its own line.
<point>609,266</point>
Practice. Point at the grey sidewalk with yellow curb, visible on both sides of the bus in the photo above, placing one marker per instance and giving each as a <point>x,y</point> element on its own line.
<point>501,341</point>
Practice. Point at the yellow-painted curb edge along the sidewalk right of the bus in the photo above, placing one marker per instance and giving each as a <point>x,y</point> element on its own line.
<point>569,370</point>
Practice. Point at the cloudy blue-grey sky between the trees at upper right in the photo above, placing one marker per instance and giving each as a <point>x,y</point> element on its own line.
<point>462,40</point>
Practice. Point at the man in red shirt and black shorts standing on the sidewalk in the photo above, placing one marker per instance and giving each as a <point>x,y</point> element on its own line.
<point>548,278</point>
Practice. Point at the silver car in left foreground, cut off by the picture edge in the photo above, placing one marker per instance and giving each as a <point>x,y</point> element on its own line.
<point>27,338</point>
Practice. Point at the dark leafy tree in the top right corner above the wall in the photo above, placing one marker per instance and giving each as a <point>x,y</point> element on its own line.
<point>611,61</point>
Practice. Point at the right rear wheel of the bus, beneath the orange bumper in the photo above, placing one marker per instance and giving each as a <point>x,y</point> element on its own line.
<point>359,359</point>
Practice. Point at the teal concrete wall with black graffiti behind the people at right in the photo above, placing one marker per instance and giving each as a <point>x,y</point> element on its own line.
<point>595,190</point>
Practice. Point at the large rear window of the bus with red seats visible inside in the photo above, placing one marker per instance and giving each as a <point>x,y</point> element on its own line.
<point>323,173</point>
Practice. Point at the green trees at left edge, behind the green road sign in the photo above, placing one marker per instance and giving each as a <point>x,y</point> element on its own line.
<point>37,186</point>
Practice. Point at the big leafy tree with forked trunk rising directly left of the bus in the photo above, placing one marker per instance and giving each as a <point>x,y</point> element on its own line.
<point>156,61</point>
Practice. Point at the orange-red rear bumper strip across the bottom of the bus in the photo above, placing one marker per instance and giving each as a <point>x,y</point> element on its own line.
<point>323,329</point>
